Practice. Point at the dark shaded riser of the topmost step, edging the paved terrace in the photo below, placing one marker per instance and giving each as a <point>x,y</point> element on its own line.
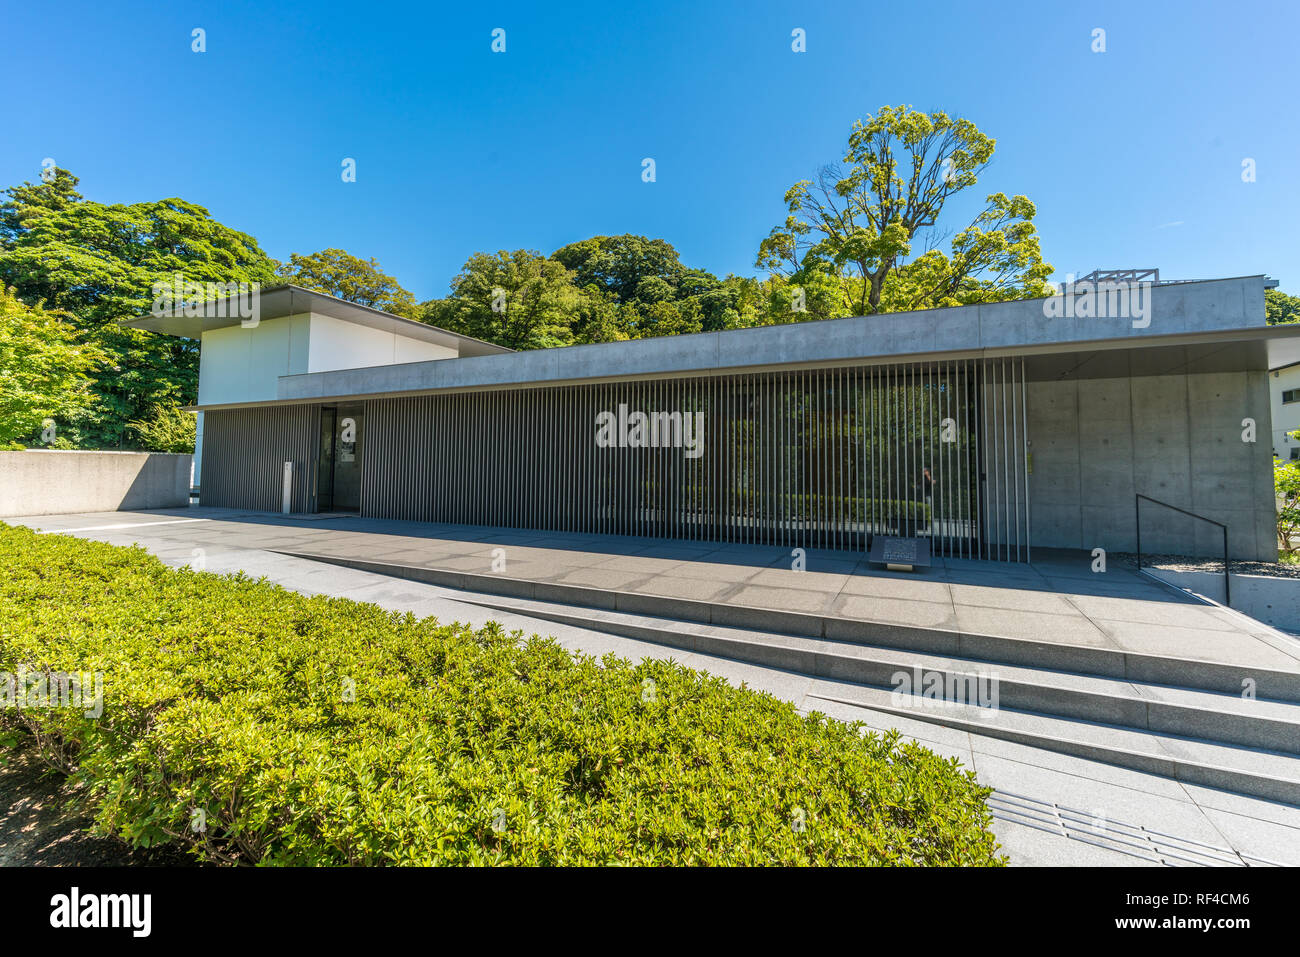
<point>1041,656</point>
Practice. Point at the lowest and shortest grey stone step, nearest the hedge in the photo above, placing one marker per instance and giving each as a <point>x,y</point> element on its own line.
<point>1259,773</point>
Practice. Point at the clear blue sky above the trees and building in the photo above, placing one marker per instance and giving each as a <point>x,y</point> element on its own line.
<point>1133,157</point>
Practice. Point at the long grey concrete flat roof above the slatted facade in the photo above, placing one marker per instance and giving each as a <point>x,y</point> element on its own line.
<point>1207,326</point>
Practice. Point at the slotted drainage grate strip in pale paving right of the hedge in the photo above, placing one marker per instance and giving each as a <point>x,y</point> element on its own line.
<point>1115,835</point>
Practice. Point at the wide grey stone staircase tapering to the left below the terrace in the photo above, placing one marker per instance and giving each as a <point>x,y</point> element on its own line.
<point>1203,724</point>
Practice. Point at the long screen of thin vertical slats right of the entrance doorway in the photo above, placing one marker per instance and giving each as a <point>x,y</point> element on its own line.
<point>820,458</point>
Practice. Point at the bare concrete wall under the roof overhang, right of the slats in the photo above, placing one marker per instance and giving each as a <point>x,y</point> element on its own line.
<point>1097,444</point>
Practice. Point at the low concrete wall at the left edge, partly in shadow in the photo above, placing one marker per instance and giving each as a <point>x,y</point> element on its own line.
<point>51,482</point>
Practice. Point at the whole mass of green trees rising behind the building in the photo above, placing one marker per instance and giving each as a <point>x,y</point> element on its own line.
<point>872,235</point>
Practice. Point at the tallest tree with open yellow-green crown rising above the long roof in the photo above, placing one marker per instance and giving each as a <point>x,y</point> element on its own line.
<point>873,224</point>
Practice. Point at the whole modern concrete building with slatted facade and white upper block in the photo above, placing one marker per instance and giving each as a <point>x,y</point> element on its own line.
<point>989,430</point>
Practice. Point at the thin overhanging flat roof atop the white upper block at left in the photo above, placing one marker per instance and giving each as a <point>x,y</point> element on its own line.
<point>293,301</point>
